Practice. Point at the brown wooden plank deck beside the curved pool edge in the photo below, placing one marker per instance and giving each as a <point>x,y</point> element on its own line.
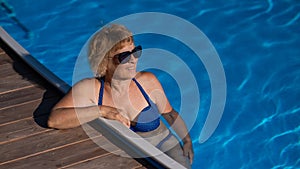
<point>25,99</point>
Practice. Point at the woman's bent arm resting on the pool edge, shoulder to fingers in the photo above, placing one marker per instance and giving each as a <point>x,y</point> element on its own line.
<point>79,106</point>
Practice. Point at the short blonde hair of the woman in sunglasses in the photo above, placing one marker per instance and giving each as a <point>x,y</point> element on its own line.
<point>109,39</point>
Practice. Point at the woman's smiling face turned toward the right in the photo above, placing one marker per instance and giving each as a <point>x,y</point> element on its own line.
<point>125,70</point>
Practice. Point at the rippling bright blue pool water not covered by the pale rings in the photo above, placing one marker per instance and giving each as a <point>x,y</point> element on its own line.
<point>258,44</point>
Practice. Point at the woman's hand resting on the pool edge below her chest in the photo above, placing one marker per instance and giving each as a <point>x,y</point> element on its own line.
<point>114,114</point>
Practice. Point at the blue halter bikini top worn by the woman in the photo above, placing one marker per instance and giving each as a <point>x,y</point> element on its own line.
<point>148,119</point>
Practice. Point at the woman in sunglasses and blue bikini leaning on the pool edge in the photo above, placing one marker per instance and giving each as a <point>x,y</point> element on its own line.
<point>136,99</point>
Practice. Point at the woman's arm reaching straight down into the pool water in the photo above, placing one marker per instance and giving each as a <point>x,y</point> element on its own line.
<point>157,94</point>
